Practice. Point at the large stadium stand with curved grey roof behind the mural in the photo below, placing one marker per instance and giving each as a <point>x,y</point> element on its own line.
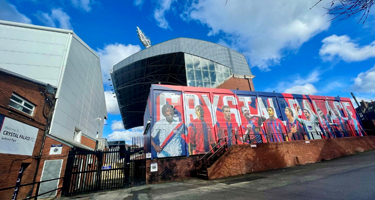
<point>180,61</point>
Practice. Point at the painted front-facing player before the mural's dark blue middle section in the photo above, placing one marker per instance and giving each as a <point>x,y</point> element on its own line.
<point>274,127</point>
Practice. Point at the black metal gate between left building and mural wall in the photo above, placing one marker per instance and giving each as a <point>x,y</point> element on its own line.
<point>91,171</point>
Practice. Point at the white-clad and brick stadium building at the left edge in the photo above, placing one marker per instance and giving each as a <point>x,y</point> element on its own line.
<point>35,61</point>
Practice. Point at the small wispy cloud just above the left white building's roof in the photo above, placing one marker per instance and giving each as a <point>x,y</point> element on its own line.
<point>57,18</point>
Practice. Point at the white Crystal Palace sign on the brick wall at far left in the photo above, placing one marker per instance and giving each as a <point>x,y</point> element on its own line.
<point>16,137</point>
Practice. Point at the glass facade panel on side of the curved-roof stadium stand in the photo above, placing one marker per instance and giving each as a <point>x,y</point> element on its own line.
<point>205,73</point>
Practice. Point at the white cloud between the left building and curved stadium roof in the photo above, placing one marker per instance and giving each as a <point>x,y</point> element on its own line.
<point>112,54</point>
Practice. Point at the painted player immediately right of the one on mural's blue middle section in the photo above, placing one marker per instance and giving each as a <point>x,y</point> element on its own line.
<point>295,130</point>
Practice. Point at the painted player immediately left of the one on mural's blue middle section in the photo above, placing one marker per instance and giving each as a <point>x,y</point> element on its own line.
<point>252,129</point>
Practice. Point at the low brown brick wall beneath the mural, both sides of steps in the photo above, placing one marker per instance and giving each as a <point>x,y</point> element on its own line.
<point>243,159</point>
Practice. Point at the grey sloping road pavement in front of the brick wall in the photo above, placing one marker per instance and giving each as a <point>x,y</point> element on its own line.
<point>350,177</point>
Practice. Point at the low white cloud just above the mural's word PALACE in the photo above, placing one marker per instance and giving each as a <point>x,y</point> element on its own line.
<point>298,85</point>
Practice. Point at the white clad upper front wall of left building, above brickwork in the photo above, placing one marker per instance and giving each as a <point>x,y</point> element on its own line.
<point>33,52</point>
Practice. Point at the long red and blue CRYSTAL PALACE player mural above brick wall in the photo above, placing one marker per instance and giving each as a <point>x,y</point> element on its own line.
<point>190,120</point>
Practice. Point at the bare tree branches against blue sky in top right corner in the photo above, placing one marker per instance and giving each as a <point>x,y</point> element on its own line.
<point>343,9</point>
